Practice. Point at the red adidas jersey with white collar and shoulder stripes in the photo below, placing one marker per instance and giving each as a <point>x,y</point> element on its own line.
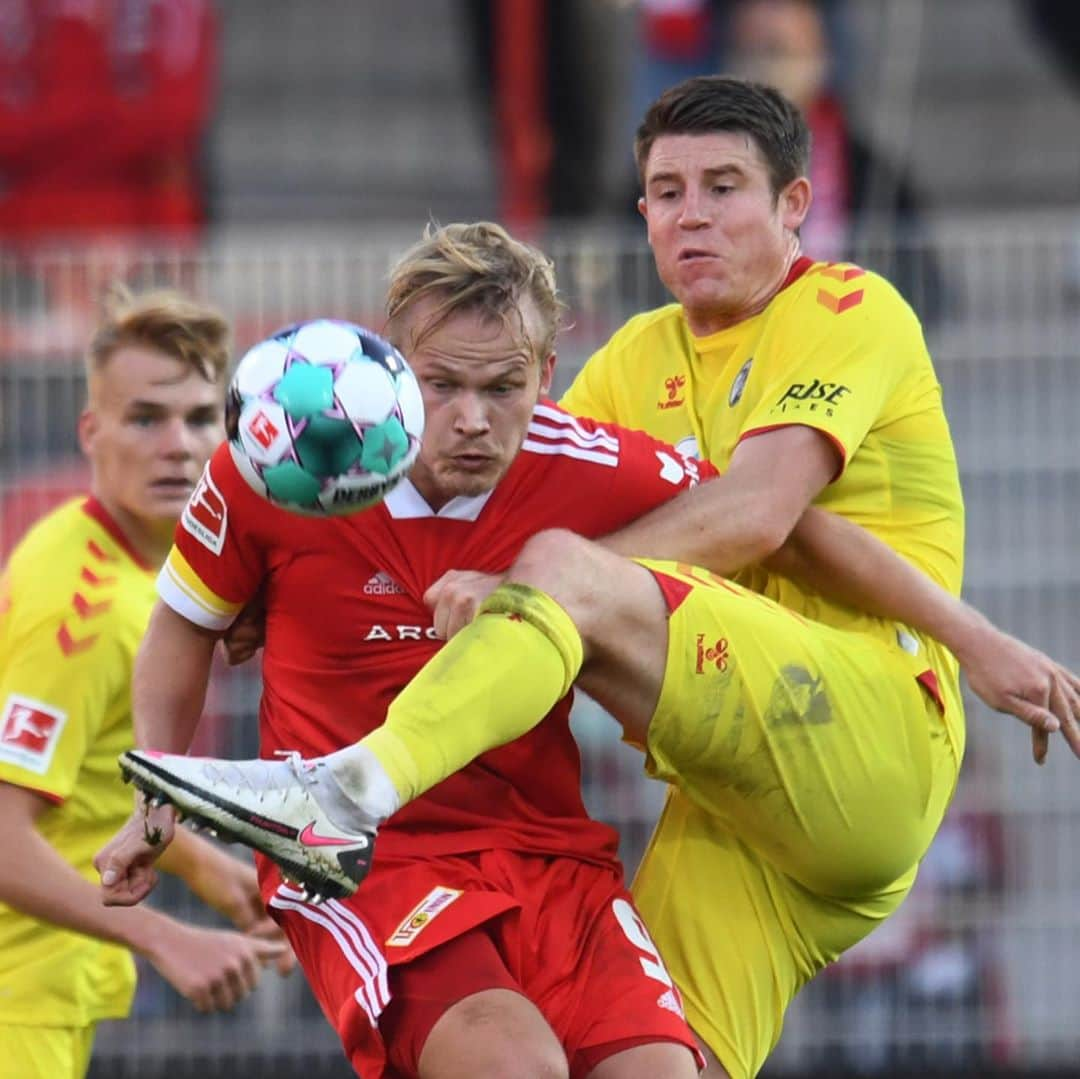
<point>346,626</point>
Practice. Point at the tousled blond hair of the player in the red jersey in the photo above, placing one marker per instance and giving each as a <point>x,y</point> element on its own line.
<point>479,267</point>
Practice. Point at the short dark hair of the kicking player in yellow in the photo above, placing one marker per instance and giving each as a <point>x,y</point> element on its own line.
<point>708,104</point>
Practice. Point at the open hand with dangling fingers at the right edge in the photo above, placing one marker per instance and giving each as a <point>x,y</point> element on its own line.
<point>1012,678</point>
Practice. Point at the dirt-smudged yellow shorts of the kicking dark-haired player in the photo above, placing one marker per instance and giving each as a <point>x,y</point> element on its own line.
<point>809,773</point>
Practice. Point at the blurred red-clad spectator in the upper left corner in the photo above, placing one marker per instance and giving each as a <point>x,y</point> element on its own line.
<point>103,109</point>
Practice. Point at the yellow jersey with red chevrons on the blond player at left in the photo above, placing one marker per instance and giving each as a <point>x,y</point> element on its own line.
<point>75,600</point>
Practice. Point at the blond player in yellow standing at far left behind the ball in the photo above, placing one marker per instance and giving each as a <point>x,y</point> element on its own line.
<point>75,599</point>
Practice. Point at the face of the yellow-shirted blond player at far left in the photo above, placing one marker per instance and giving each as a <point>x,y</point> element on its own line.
<point>151,426</point>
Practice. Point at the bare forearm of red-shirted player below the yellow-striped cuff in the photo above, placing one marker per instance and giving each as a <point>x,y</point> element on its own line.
<point>169,687</point>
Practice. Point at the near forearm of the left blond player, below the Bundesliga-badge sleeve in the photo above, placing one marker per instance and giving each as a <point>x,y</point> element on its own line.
<point>36,881</point>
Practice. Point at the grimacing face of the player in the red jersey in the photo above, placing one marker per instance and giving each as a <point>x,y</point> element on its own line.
<point>480,383</point>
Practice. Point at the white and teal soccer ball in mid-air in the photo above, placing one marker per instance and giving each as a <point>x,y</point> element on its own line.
<point>326,417</point>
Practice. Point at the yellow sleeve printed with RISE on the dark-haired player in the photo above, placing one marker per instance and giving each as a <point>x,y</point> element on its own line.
<point>841,356</point>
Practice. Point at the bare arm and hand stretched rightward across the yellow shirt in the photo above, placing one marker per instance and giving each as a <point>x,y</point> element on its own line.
<point>847,563</point>
